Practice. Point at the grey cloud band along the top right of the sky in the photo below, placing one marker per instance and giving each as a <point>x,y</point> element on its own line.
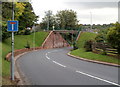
<point>92,5</point>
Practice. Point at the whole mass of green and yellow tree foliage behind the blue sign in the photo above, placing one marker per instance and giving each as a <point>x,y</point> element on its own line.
<point>23,13</point>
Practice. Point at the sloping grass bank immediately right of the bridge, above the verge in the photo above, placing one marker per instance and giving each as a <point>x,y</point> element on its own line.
<point>84,37</point>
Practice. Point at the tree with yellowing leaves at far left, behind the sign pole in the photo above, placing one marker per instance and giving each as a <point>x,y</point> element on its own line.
<point>7,15</point>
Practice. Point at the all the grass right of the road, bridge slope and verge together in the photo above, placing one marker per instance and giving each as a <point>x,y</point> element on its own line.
<point>90,55</point>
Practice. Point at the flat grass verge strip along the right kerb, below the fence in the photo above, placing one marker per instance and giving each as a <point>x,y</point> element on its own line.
<point>92,56</point>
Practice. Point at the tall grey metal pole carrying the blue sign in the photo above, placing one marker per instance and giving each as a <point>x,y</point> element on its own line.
<point>12,58</point>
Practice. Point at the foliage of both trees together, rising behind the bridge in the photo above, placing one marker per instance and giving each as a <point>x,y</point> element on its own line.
<point>64,19</point>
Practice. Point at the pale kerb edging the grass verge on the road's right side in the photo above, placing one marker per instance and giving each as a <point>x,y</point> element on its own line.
<point>94,61</point>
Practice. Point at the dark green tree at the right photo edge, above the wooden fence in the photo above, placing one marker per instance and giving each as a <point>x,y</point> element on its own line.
<point>113,37</point>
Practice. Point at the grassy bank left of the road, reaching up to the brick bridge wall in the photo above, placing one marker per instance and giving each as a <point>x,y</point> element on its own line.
<point>20,42</point>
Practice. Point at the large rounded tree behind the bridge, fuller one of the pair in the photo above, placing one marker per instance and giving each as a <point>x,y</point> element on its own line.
<point>67,19</point>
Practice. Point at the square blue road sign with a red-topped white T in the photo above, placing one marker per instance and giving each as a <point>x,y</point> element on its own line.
<point>12,25</point>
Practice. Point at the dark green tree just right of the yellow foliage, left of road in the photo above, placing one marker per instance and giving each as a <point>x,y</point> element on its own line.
<point>28,18</point>
